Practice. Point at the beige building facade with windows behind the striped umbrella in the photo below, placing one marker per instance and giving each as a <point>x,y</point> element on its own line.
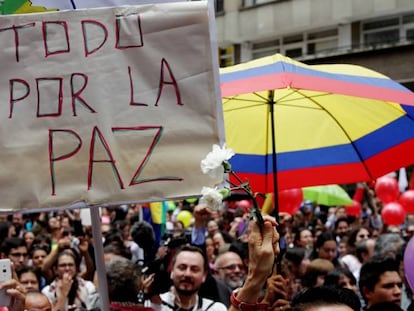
<point>378,34</point>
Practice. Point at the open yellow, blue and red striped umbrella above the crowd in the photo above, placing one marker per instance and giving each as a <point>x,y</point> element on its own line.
<point>294,125</point>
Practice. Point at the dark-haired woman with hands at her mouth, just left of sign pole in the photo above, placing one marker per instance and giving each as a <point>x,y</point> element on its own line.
<point>69,291</point>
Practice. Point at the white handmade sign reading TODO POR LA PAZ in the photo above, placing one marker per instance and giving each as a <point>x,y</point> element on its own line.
<point>106,105</point>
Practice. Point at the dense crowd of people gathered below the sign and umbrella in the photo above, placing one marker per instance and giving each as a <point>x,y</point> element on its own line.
<point>319,257</point>
